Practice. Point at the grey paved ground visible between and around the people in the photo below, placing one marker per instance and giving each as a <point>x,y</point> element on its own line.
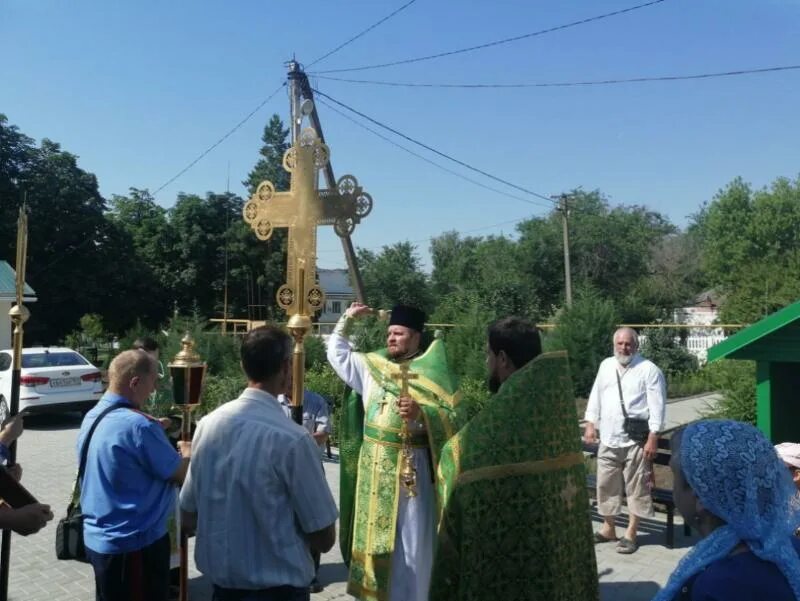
<point>46,452</point>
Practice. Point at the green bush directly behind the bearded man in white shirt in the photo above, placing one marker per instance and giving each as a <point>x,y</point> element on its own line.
<point>585,331</point>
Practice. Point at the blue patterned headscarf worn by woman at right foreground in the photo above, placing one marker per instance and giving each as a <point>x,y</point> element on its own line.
<point>735,472</point>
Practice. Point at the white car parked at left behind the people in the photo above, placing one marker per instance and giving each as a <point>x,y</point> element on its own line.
<point>51,379</point>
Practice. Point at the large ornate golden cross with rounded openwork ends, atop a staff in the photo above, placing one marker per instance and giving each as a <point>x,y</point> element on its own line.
<point>301,210</point>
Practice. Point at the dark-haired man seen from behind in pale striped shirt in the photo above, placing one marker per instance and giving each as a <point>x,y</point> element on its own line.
<point>256,487</point>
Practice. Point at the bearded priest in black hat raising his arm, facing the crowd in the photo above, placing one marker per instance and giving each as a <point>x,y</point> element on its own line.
<point>388,520</point>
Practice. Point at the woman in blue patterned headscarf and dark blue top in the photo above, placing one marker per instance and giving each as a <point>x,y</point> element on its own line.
<point>731,486</point>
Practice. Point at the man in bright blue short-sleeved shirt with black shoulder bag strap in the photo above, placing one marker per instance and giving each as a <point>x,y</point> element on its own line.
<point>128,487</point>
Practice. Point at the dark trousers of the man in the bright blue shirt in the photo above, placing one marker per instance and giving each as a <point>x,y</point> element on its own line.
<point>141,575</point>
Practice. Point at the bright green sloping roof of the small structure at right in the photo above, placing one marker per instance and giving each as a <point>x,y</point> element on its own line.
<point>774,338</point>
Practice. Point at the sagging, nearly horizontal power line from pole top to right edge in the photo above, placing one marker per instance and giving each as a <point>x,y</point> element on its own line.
<point>564,84</point>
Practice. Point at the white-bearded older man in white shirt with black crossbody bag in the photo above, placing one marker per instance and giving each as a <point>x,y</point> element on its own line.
<point>626,379</point>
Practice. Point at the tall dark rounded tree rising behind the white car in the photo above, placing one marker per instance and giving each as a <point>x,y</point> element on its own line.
<point>69,245</point>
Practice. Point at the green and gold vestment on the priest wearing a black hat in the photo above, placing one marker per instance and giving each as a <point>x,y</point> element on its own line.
<point>369,453</point>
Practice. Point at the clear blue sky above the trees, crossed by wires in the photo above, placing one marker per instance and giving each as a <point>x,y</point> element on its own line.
<point>138,90</point>
